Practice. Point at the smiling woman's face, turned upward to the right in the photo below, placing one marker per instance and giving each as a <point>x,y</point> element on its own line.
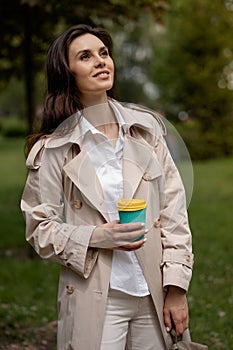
<point>90,63</point>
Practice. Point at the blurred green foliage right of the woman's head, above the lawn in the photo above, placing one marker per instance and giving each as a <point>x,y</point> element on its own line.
<point>183,69</point>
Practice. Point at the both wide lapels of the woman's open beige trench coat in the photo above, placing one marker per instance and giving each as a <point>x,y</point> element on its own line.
<point>136,157</point>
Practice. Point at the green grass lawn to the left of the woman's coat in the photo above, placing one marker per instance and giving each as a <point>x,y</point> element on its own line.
<point>28,287</point>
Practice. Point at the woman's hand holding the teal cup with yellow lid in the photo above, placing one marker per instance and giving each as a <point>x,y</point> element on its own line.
<point>113,235</point>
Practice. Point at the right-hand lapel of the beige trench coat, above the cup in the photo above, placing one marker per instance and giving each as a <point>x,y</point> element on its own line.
<point>136,157</point>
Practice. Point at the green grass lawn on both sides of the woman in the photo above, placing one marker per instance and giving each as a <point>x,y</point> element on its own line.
<point>28,286</point>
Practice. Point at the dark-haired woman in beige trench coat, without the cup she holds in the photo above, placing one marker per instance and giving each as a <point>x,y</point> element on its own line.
<point>115,292</point>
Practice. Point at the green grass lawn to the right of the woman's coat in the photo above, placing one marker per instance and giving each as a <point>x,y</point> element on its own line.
<point>211,292</point>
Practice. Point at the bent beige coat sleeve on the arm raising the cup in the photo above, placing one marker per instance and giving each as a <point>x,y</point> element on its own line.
<point>43,205</point>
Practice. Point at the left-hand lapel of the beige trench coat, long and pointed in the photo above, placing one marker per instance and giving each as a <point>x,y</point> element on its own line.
<point>82,173</point>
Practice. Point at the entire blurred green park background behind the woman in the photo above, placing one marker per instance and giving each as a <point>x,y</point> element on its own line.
<point>175,57</point>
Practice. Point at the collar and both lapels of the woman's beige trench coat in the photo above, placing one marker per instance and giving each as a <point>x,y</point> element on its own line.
<point>136,157</point>
